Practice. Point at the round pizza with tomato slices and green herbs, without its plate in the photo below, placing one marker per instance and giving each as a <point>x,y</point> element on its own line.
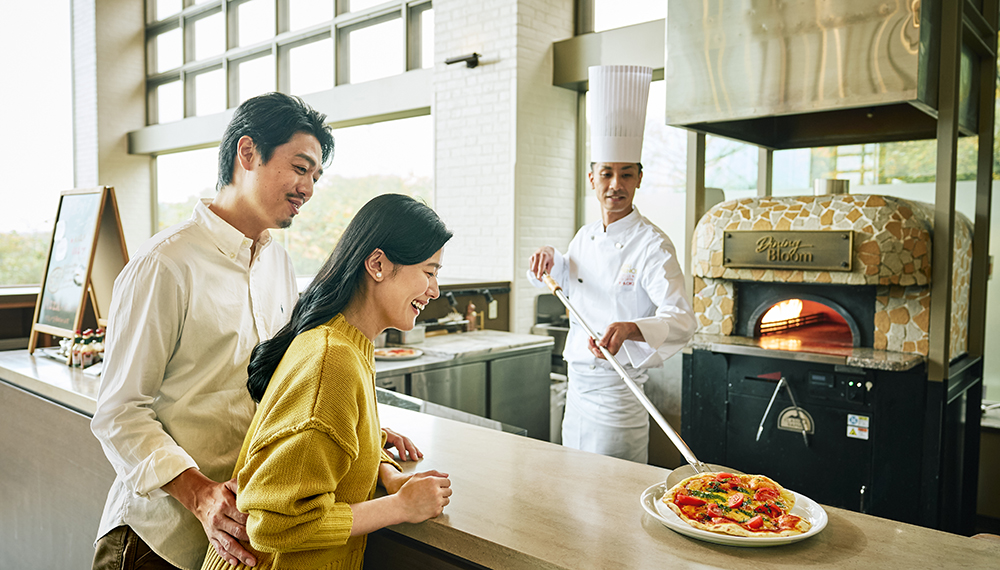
<point>740,505</point>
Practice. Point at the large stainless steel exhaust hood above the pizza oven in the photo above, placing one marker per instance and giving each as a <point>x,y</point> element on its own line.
<point>803,73</point>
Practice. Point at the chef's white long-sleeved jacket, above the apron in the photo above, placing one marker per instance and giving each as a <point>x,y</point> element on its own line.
<point>627,272</point>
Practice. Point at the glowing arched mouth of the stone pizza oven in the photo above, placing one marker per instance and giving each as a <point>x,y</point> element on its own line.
<point>822,321</point>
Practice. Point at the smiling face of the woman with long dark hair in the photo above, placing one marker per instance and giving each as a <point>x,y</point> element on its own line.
<point>406,291</point>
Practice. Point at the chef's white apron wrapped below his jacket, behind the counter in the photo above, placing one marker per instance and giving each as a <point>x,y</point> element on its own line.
<point>603,415</point>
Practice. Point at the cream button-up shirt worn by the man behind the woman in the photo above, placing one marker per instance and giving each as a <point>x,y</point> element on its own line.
<point>186,312</point>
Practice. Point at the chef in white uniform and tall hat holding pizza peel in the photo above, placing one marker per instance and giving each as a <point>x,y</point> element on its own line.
<point>621,274</point>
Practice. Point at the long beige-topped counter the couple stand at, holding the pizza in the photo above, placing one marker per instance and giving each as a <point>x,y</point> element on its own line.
<point>518,503</point>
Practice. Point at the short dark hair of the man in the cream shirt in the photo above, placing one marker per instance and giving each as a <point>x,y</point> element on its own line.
<point>271,120</point>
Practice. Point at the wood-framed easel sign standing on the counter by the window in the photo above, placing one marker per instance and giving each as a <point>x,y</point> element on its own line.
<point>86,254</point>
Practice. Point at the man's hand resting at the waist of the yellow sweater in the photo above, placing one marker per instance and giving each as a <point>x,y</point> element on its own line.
<point>215,506</point>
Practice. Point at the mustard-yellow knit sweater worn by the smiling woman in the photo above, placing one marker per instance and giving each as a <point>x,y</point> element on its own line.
<point>313,449</point>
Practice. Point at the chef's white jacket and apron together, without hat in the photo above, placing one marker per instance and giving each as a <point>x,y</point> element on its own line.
<point>626,272</point>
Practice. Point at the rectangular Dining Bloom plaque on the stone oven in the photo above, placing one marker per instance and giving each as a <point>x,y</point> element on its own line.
<point>822,250</point>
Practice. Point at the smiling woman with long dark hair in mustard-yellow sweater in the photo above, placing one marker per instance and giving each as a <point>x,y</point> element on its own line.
<point>314,453</point>
